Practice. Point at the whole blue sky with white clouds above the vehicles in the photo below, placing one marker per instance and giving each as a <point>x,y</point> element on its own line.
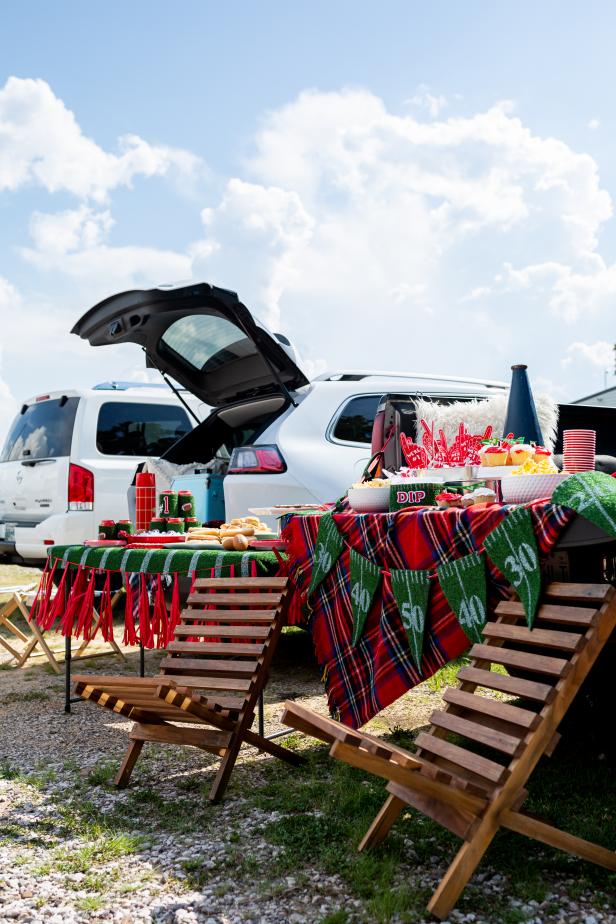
<point>438,175</point>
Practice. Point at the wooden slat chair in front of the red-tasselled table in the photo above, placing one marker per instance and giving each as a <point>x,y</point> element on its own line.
<point>212,676</point>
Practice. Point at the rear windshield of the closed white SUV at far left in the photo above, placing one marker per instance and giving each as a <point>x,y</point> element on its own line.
<point>42,431</point>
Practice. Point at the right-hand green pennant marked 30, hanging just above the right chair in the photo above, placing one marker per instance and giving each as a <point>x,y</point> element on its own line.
<point>513,549</point>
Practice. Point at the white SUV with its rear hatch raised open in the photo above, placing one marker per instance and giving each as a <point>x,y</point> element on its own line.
<point>280,438</point>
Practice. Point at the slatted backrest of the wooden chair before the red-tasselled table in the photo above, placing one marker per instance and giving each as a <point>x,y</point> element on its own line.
<point>225,640</point>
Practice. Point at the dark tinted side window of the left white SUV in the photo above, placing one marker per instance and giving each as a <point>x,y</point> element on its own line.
<point>133,429</point>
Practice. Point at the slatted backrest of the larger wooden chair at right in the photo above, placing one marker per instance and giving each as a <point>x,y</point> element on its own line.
<point>545,667</point>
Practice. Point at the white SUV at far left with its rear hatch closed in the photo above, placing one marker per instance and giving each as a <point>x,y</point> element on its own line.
<point>70,456</point>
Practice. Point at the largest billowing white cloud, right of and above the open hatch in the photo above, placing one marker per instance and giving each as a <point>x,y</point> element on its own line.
<point>373,237</point>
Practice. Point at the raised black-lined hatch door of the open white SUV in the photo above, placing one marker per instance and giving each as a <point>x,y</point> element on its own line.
<point>201,336</point>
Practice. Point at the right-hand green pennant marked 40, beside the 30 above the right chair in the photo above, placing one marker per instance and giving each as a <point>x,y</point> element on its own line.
<point>464,584</point>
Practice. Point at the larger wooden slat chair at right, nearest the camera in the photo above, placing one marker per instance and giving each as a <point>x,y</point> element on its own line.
<point>474,794</point>
